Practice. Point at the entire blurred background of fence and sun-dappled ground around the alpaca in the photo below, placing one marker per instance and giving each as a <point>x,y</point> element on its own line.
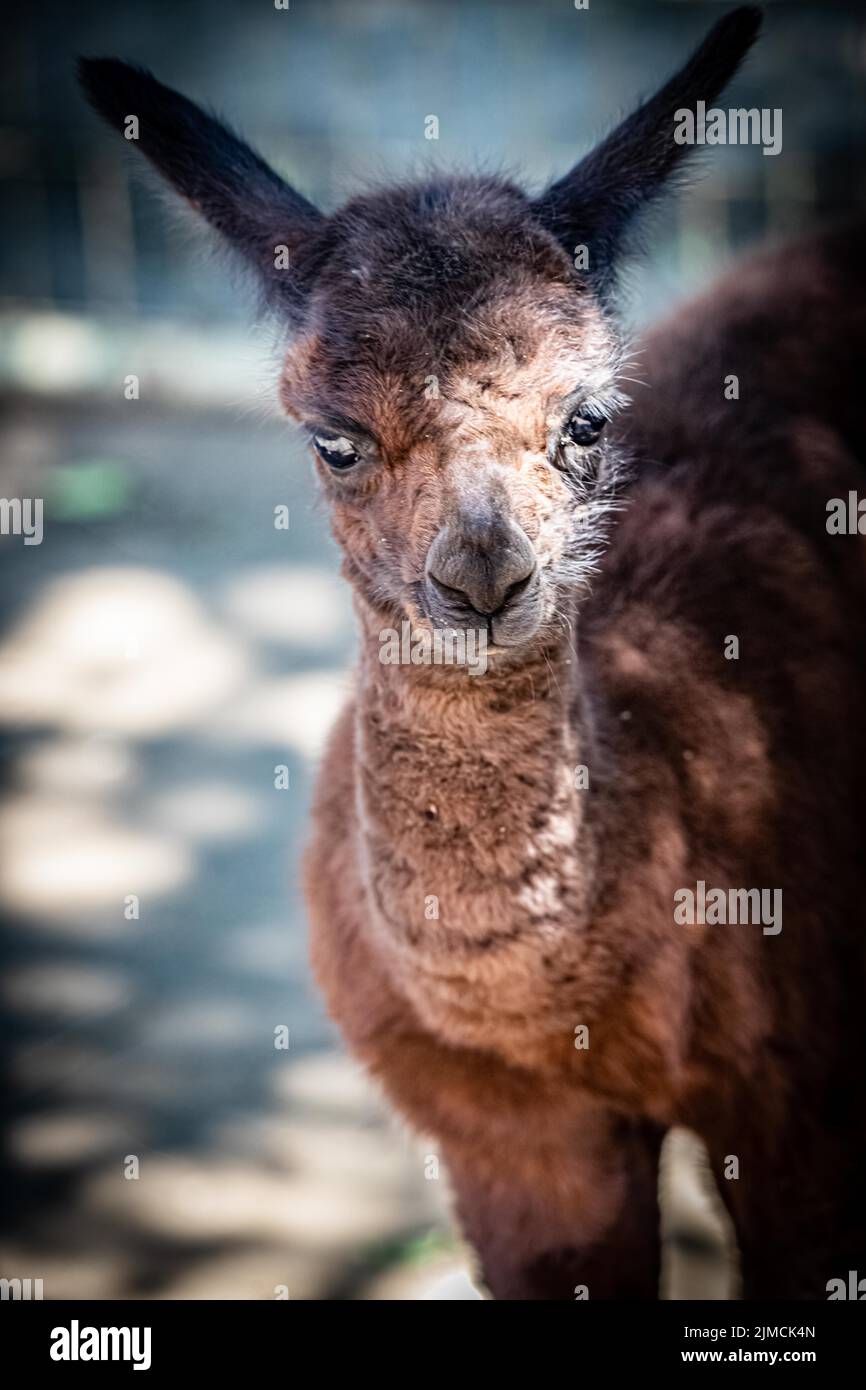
<point>180,1118</point>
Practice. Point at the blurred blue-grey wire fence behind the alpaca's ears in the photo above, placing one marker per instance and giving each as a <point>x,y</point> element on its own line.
<point>337,94</point>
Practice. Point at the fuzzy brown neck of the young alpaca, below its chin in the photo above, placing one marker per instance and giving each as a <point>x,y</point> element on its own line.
<point>473,839</point>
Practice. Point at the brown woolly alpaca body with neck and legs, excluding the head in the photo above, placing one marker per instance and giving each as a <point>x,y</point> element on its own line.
<point>557,904</point>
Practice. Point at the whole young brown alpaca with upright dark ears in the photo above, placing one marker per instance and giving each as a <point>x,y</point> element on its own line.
<point>672,700</point>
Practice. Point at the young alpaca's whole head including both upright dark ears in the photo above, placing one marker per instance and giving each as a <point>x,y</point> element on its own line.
<point>452,355</point>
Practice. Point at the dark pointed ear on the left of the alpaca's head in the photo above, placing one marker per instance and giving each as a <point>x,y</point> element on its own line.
<point>265,220</point>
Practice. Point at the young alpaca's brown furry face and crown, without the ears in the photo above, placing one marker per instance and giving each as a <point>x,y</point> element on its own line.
<point>455,377</point>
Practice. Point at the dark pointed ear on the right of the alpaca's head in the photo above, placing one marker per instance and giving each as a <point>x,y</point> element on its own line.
<point>596,204</point>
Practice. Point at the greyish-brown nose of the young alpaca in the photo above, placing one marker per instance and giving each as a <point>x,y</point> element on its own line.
<point>480,562</point>
